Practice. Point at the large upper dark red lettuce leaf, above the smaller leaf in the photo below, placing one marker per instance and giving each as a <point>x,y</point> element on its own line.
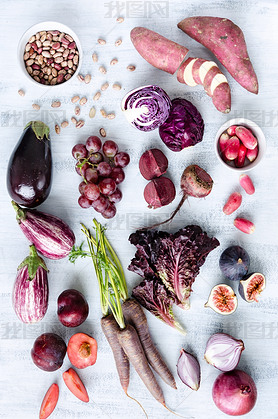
<point>174,259</point>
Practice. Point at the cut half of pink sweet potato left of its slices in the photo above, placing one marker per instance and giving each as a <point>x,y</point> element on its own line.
<point>157,50</point>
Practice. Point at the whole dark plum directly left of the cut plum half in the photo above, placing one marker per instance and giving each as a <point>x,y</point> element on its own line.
<point>48,352</point>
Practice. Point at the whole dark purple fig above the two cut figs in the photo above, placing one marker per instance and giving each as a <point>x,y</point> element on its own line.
<point>234,263</point>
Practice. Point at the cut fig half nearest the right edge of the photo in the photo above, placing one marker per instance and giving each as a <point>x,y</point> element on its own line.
<point>251,286</point>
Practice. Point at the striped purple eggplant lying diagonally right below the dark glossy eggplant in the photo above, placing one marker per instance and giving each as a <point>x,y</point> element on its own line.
<point>52,237</point>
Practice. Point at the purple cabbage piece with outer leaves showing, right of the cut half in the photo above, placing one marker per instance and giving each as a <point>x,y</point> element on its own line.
<point>184,126</point>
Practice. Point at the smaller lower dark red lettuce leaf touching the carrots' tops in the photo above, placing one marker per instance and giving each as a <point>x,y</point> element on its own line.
<point>152,295</point>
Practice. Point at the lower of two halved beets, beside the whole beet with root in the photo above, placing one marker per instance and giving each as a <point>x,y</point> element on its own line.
<point>159,192</point>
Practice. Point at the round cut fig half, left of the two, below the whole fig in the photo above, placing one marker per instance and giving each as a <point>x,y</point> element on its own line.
<point>222,299</point>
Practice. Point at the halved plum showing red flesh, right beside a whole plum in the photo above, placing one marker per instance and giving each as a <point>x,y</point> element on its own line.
<point>82,350</point>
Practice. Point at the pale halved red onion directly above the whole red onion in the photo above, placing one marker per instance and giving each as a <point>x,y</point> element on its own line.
<point>223,351</point>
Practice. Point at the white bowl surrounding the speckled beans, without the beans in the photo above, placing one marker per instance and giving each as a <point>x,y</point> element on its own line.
<point>46,26</point>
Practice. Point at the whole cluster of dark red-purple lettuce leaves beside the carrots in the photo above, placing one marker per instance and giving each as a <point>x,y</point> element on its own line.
<point>169,264</point>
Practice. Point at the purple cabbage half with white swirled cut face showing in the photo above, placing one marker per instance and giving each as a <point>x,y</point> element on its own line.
<point>146,107</point>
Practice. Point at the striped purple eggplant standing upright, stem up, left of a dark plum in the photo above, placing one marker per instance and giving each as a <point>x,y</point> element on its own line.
<point>30,292</point>
